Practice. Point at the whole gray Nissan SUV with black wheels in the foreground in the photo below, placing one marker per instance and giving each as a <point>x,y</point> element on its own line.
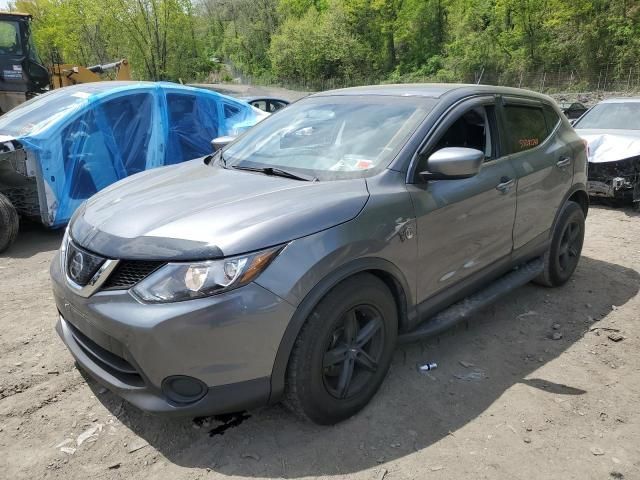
<point>289,264</point>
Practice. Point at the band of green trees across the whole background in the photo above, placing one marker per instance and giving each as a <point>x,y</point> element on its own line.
<point>350,40</point>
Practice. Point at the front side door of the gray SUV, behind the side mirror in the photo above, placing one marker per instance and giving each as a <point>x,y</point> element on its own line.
<point>464,225</point>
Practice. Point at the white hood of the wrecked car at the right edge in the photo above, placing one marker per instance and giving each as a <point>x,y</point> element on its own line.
<point>611,145</point>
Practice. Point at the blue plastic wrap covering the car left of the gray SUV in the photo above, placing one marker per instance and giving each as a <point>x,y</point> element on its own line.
<point>89,136</point>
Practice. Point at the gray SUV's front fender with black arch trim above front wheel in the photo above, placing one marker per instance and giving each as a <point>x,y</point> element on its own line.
<point>376,241</point>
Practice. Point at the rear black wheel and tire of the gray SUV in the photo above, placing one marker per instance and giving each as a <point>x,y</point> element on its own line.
<point>563,255</point>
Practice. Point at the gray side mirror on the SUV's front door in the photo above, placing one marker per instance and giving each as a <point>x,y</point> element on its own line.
<point>453,163</point>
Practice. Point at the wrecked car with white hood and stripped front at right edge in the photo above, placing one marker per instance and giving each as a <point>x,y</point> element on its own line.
<point>612,130</point>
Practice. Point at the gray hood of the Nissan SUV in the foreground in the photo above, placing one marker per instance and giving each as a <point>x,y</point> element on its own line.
<point>196,211</point>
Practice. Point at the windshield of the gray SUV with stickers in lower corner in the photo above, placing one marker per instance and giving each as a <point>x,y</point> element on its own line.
<point>331,137</point>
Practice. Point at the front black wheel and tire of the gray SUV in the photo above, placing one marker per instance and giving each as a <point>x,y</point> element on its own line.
<point>323,355</point>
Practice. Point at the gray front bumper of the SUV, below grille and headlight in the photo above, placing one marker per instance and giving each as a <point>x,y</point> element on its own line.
<point>228,342</point>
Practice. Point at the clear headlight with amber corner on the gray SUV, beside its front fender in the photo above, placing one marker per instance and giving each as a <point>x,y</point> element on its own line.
<point>183,281</point>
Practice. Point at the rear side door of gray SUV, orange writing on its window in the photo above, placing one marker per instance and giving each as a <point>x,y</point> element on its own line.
<point>543,163</point>
